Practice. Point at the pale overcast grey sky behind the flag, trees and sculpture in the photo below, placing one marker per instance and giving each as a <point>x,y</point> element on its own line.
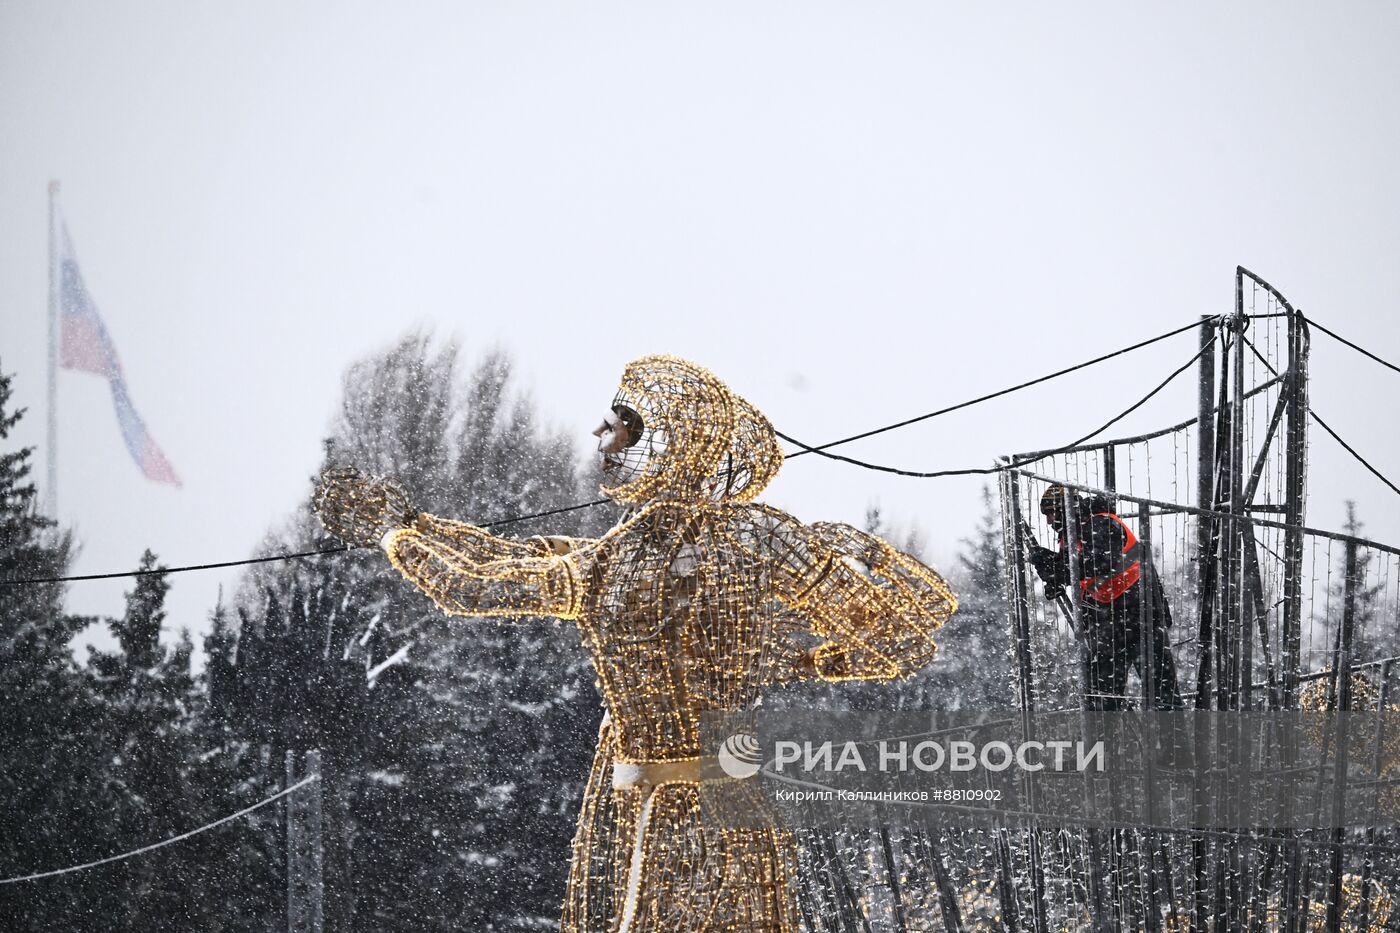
<point>850,212</point>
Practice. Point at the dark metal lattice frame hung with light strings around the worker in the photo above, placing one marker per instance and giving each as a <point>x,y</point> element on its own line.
<point>1269,617</point>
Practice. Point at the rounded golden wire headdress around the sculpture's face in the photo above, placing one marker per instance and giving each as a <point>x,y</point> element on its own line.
<point>698,439</point>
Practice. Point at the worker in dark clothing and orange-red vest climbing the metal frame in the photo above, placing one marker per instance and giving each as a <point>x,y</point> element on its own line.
<point>1118,595</point>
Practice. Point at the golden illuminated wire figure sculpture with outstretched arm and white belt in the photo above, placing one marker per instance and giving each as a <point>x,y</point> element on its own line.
<point>694,603</point>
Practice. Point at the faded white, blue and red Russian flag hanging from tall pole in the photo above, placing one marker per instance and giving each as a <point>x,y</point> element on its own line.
<point>86,345</point>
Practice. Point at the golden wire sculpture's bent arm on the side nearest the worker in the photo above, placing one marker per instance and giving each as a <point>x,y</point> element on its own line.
<point>876,607</point>
